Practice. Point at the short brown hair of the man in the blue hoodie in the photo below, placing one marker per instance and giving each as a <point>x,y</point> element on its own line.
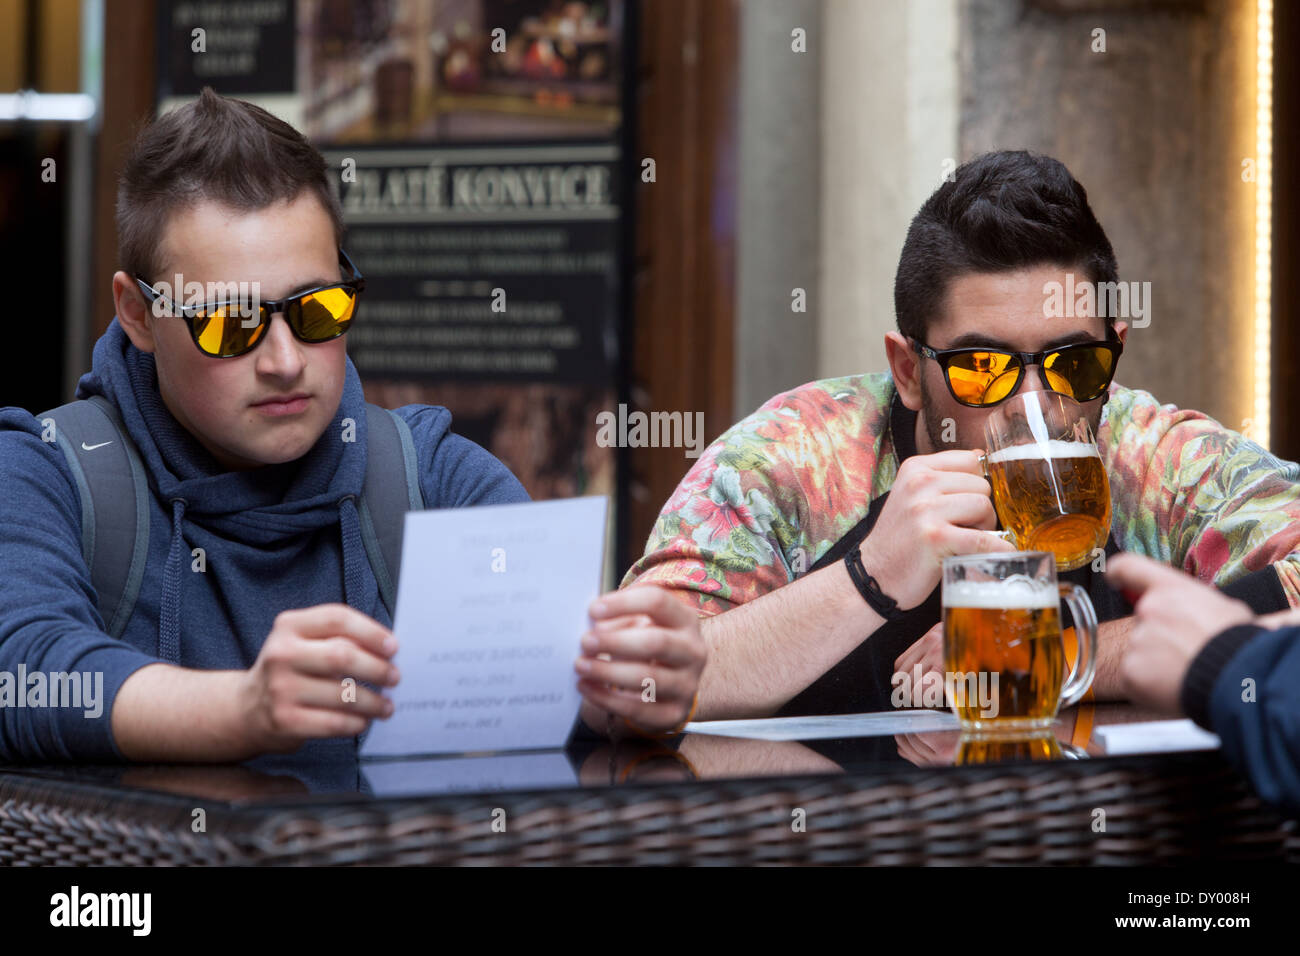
<point>214,149</point>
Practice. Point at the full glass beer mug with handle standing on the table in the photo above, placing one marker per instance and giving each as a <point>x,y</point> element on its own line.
<point>1004,655</point>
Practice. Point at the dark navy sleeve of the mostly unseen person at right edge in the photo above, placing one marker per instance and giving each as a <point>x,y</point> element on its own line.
<point>1242,686</point>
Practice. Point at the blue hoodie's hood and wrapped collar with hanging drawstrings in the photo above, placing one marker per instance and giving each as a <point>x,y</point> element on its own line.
<point>268,508</point>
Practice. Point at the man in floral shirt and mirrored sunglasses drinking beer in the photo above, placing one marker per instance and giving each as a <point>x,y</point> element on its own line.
<point>881,469</point>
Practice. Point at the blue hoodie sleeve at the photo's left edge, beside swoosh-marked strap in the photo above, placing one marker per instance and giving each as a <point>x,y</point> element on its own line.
<point>50,624</point>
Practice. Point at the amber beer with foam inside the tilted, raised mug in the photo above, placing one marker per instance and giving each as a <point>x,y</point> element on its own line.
<point>1054,498</point>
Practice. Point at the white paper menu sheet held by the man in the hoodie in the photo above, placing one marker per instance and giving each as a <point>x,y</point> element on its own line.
<point>492,607</point>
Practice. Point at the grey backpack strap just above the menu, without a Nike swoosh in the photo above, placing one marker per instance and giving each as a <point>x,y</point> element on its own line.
<point>392,490</point>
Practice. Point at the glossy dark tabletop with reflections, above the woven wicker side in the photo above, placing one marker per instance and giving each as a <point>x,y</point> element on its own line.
<point>779,747</point>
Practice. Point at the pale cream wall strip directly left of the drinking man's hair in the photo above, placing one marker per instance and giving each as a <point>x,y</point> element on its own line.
<point>889,126</point>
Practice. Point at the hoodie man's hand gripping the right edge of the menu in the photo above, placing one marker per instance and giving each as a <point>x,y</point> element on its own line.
<point>642,660</point>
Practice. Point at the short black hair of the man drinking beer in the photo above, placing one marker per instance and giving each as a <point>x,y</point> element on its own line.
<point>1002,211</point>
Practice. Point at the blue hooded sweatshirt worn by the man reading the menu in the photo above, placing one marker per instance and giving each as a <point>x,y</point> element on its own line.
<point>275,539</point>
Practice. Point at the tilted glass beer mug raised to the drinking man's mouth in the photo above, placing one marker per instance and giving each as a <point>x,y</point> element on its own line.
<point>1050,487</point>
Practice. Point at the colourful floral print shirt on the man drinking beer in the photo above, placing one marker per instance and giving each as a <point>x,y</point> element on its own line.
<point>777,491</point>
